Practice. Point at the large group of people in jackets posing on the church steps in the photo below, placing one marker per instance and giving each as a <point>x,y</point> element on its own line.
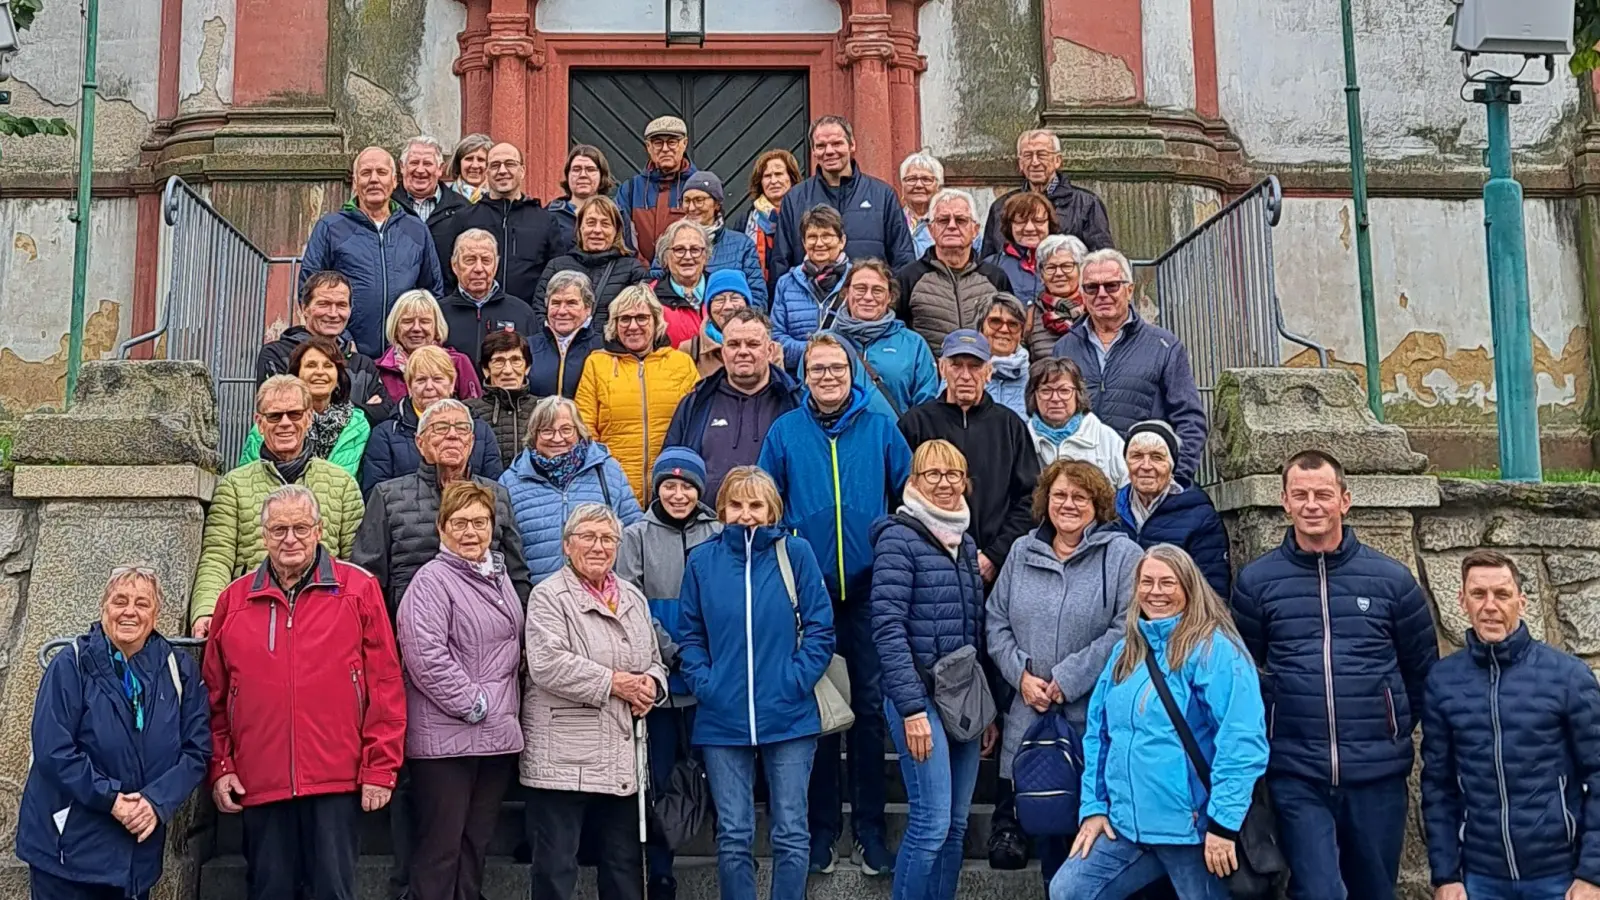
<point>567,515</point>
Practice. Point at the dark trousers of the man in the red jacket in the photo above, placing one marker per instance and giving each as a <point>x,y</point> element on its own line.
<point>305,842</point>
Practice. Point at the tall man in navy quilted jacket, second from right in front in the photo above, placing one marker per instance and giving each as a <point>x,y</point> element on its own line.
<point>1345,641</point>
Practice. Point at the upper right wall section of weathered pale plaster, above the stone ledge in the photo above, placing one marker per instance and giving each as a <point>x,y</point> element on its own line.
<point>1281,70</point>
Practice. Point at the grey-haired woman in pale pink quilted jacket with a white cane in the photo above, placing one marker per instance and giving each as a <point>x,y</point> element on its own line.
<point>593,670</point>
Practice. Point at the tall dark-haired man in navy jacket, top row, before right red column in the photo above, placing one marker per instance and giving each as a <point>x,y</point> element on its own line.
<point>874,223</point>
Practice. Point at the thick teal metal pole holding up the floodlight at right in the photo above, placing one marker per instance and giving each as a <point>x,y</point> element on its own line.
<point>1516,401</point>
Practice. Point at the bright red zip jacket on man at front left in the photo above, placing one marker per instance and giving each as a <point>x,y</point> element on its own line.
<point>318,710</point>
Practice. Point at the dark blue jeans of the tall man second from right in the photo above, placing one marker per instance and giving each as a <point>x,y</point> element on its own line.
<point>1342,843</point>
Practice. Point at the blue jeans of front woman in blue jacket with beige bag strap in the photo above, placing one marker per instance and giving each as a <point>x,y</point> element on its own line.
<point>732,776</point>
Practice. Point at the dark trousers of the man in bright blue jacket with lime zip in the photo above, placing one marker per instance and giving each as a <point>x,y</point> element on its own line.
<point>866,777</point>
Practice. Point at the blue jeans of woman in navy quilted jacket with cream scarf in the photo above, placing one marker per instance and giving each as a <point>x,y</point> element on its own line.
<point>940,795</point>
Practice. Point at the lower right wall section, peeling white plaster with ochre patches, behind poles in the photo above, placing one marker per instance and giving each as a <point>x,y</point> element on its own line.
<point>1431,286</point>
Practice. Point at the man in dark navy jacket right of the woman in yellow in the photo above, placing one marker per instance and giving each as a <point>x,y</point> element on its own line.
<point>727,416</point>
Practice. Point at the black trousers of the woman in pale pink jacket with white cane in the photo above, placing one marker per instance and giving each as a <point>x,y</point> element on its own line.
<point>556,826</point>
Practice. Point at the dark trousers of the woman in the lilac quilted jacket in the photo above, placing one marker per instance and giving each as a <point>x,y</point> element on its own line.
<point>457,805</point>
